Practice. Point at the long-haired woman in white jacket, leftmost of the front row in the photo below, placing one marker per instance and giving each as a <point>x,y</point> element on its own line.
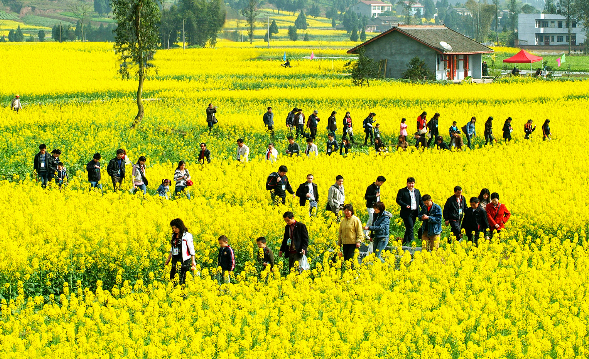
<point>181,250</point>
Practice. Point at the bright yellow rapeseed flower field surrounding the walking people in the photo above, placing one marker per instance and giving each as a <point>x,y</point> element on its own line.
<point>83,272</point>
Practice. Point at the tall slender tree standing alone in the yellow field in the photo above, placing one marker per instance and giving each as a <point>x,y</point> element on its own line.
<point>136,39</point>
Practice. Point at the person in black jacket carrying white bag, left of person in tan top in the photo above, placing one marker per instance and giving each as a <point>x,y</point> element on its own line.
<point>295,241</point>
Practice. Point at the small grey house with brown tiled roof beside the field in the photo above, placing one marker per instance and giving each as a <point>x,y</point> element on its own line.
<point>447,53</point>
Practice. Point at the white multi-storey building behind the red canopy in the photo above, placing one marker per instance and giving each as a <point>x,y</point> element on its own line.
<point>548,29</point>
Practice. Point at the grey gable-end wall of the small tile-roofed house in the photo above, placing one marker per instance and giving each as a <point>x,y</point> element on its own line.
<point>398,50</point>
